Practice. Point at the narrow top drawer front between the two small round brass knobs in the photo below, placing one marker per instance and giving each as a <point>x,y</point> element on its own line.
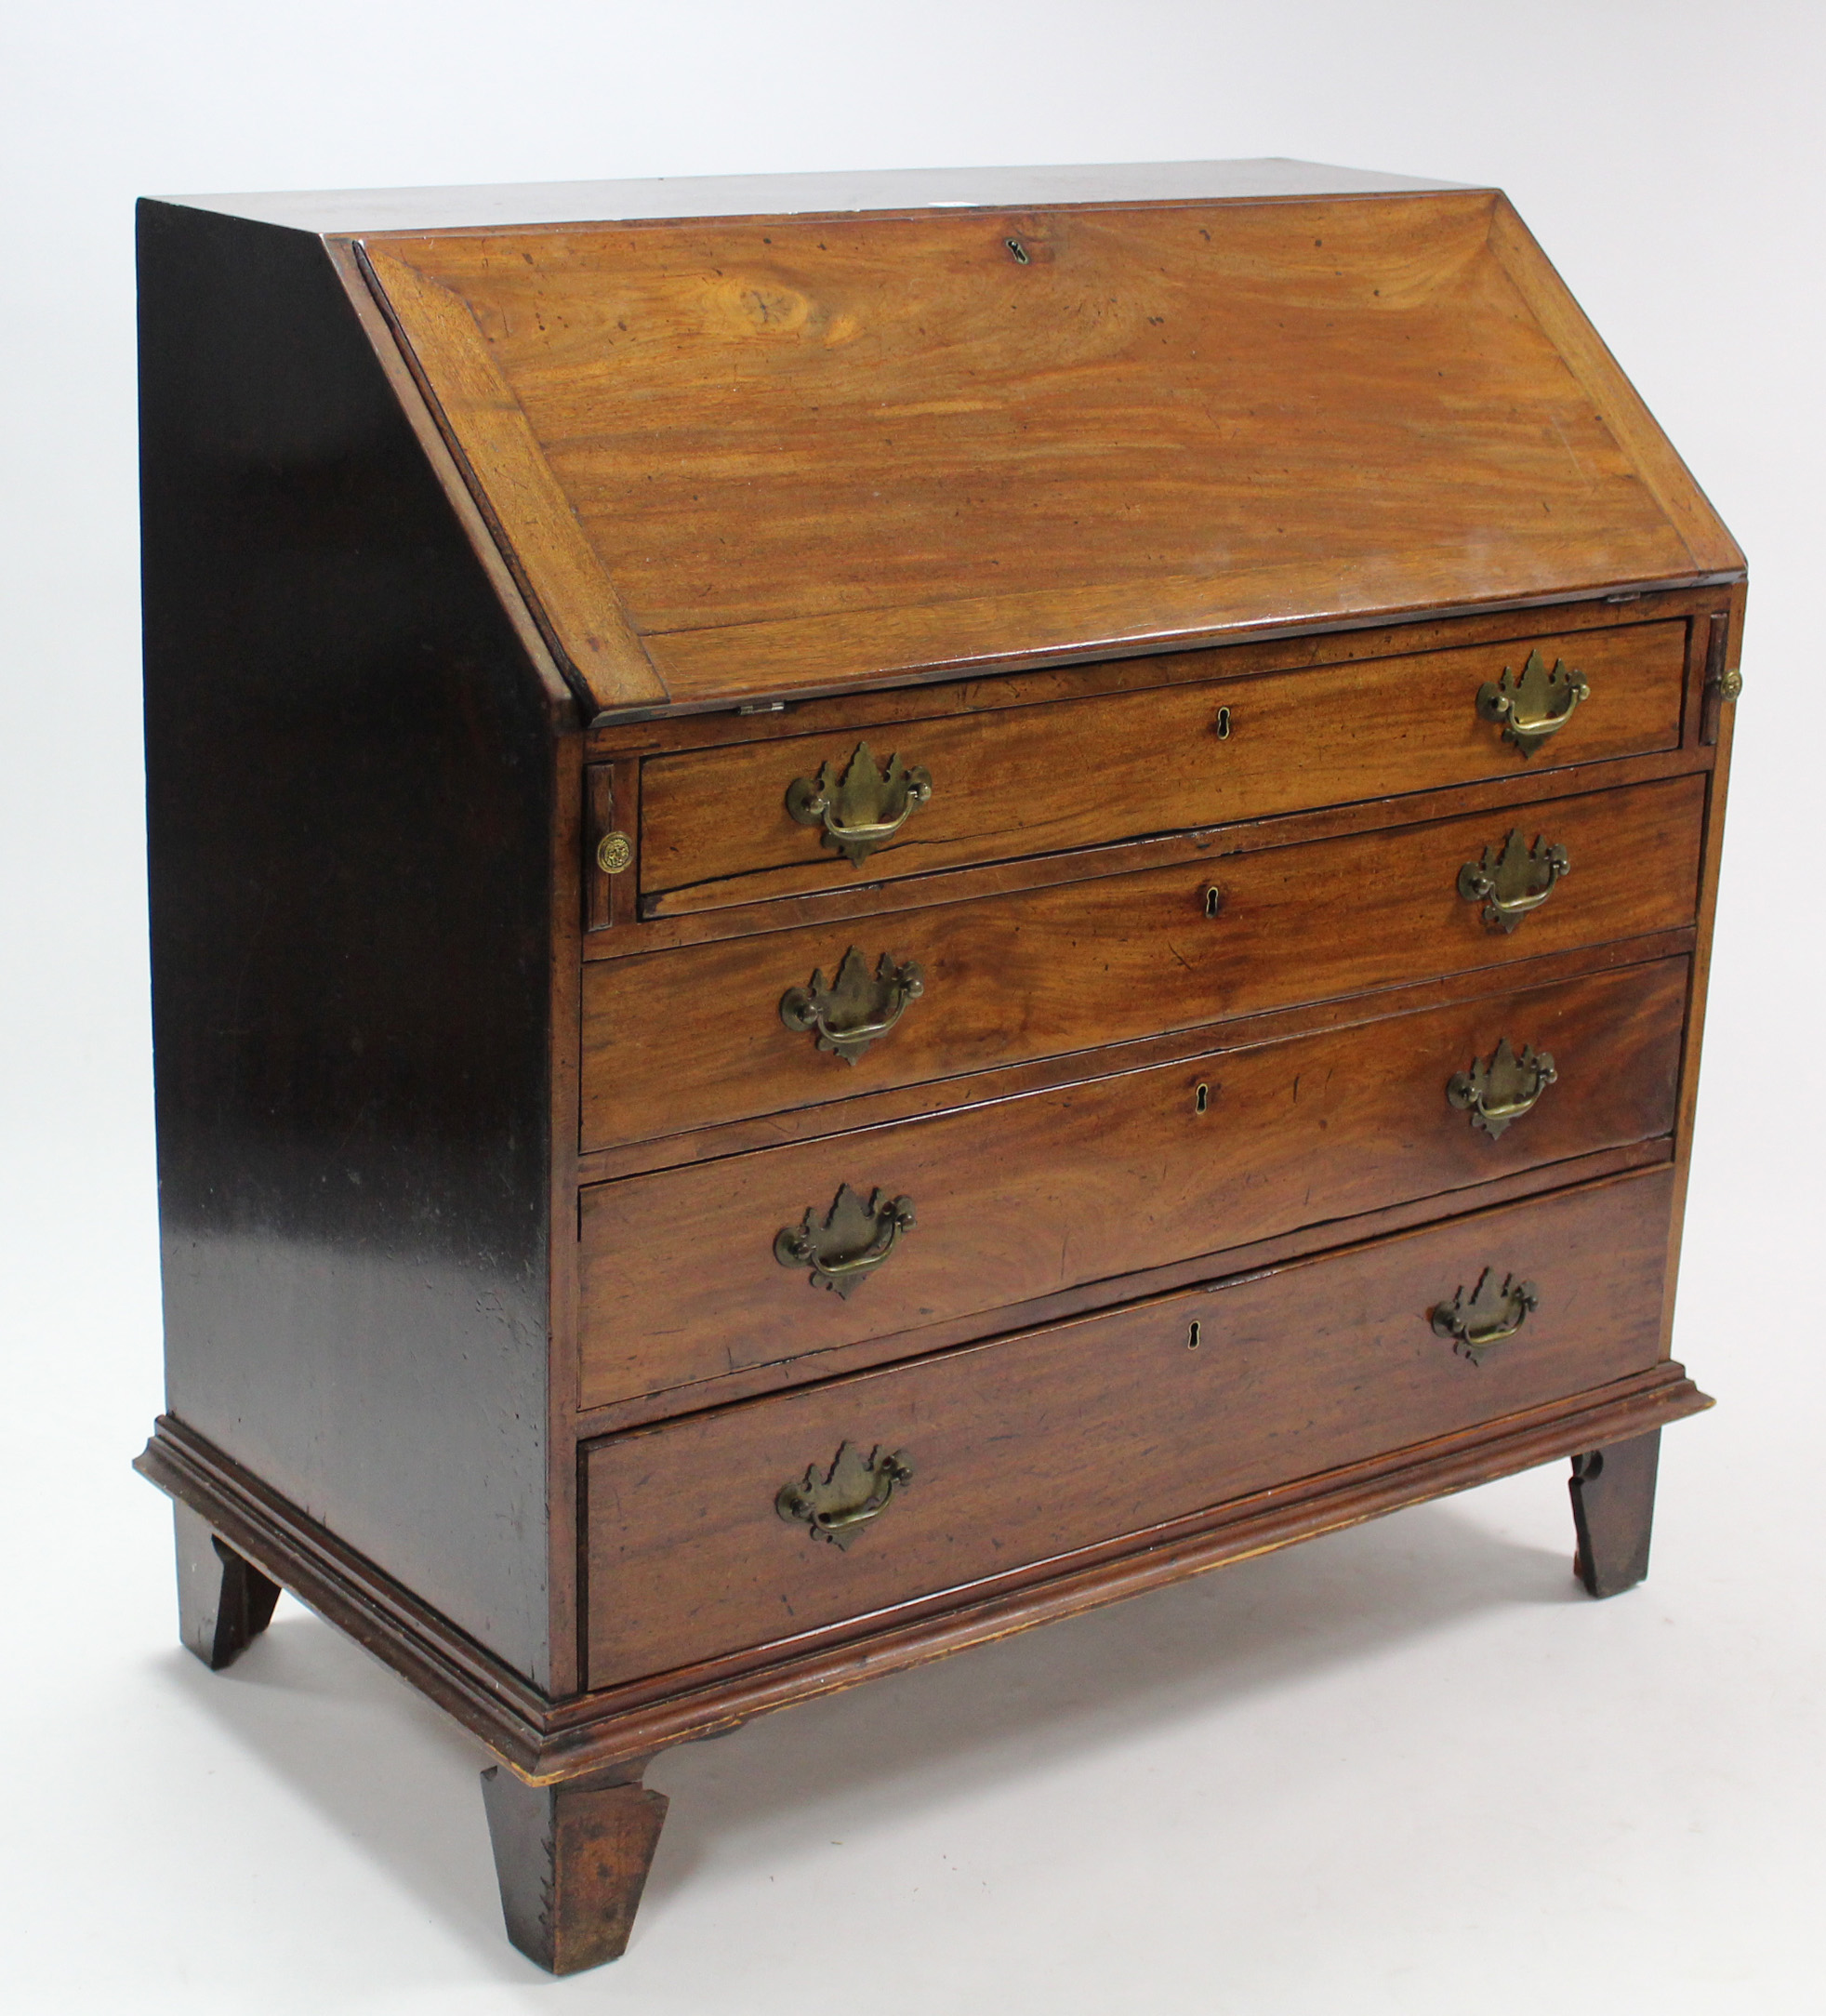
<point>716,826</point>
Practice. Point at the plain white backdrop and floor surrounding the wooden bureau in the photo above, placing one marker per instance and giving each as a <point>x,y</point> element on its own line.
<point>1406,1769</point>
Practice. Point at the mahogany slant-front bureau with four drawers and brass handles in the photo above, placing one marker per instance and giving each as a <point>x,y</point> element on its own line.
<point>890,904</point>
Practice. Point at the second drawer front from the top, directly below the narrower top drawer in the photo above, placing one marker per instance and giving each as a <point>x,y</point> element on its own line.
<point>694,1037</point>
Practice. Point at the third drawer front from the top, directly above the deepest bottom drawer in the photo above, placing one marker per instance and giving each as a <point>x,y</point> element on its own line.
<point>684,1279</point>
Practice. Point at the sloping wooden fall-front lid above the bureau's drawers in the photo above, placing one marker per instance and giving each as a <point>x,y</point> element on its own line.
<point>837,451</point>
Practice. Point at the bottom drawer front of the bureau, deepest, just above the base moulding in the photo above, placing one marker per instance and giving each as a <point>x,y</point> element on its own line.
<point>1083,1432</point>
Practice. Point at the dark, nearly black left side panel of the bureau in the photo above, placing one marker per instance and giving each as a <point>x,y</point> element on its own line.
<point>350,803</point>
